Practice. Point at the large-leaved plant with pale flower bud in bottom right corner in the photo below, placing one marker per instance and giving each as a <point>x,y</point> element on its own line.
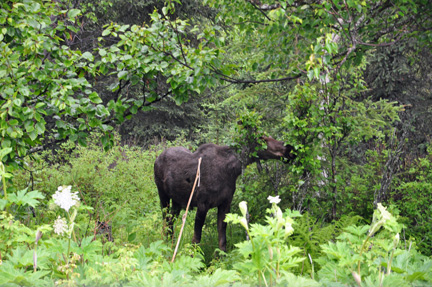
<point>376,259</point>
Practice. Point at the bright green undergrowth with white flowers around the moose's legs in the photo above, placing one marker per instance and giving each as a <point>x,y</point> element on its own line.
<point>45,243</point>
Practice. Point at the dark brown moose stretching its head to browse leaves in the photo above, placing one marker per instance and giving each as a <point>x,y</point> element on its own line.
<point>175,170</point>
